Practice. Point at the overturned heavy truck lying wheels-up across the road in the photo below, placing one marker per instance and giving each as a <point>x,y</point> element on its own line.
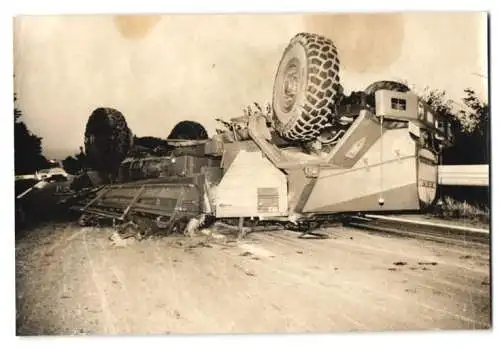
<point>316,153</point>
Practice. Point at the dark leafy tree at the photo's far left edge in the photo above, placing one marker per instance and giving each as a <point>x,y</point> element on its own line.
<point>28,156</point>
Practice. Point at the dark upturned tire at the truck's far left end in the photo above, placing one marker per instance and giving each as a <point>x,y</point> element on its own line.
<point>107,140</point>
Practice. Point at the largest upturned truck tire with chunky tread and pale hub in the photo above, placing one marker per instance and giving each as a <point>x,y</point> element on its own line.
<point>305,85</point>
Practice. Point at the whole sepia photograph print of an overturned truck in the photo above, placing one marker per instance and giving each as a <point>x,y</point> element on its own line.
<point>234,173</point>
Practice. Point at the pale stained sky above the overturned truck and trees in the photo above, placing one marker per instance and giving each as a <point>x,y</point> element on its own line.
<point>159,70</point>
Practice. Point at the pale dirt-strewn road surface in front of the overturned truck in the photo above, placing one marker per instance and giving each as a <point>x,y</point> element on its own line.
<point>71,280</point>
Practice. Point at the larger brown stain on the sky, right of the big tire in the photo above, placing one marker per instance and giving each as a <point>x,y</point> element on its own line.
<point>366,42</point>
